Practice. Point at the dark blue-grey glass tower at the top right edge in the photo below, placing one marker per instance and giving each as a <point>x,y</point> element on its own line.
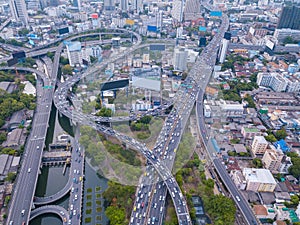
<point>290,18</point>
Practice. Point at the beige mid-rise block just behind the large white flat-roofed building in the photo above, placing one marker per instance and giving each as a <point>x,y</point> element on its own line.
<point>272,159</point>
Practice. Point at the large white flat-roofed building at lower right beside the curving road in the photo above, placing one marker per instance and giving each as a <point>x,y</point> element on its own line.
<point>259,180</point>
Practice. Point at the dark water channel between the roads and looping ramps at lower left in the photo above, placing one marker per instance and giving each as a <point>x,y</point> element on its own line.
<point>51,180</point>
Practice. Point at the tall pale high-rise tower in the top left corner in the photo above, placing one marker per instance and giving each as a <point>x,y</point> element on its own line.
<point>19,11</point>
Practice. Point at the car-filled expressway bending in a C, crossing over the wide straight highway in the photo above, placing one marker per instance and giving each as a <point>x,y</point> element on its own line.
<point>89,120</point>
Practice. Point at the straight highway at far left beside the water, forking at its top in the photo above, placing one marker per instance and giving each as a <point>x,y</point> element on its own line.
<point>25,184</point>
